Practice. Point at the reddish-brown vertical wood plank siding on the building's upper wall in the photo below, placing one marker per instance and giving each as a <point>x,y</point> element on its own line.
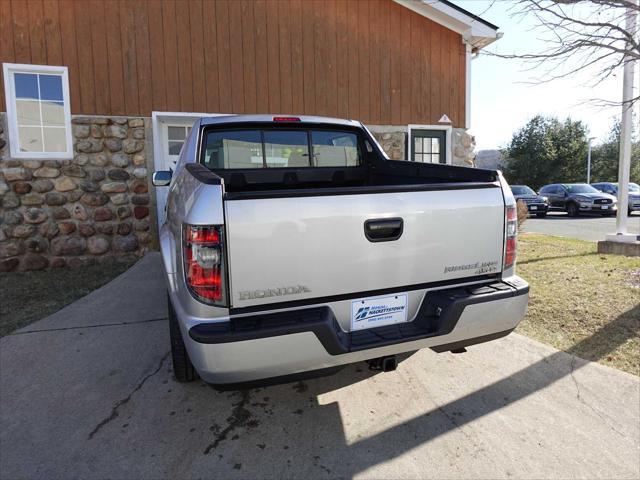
<point>372,60</point>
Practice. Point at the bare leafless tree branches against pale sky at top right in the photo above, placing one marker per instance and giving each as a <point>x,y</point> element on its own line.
<point>580,35</point>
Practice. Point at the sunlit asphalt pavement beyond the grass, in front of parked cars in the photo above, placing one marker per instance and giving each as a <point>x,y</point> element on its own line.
<point>592,227</point>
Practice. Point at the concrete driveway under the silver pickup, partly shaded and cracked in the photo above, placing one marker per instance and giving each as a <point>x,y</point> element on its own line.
<point>88,393</point>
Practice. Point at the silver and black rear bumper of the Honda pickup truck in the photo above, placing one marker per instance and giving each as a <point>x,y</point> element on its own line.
<point>271,345</point>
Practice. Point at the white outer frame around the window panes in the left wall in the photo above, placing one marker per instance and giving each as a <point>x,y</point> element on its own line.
<point>8,70</point>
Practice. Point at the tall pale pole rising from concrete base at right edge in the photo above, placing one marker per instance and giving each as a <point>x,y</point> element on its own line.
<point>624,166</point>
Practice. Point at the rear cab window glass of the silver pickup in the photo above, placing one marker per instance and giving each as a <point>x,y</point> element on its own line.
<point>278,148</point>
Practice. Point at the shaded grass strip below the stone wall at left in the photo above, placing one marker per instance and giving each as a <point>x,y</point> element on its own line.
<point>29,296</point>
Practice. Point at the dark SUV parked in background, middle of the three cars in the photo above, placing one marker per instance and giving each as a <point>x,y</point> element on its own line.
<point>576,198</point>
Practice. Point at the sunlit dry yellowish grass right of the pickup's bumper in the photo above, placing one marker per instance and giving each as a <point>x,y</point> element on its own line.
<point>581,301</point>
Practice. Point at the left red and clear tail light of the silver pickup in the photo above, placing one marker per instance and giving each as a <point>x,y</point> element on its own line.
<point>204,263</point>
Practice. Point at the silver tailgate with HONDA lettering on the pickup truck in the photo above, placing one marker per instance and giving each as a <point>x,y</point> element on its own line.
<point>303,247</point>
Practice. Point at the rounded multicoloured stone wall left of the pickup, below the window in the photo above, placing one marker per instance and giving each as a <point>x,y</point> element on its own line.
<point>94,208</point>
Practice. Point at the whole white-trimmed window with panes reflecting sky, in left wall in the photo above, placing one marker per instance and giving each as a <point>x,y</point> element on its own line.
<point>38,111</point>
